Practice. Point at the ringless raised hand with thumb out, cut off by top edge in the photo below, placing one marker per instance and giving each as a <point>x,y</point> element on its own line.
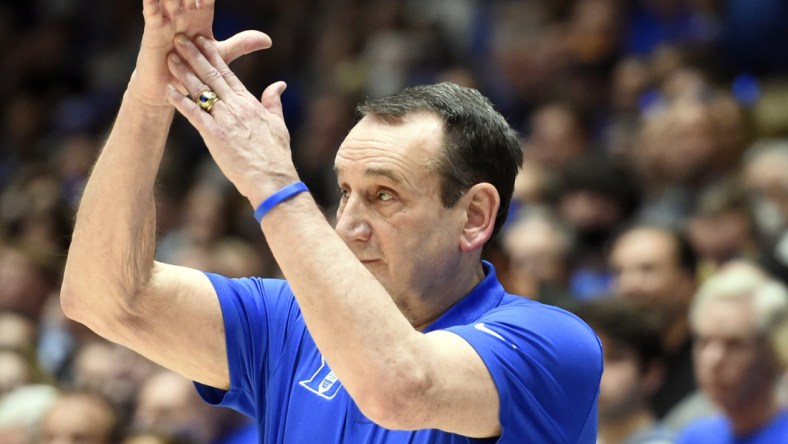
<point>164,19</point>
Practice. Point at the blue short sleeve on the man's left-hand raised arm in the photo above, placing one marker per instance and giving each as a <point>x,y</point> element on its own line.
<point>255,313</point>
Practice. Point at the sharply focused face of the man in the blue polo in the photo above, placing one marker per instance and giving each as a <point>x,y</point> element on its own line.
<point>391,215</point>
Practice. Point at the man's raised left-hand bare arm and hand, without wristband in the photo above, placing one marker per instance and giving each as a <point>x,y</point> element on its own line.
<point>111,283</point>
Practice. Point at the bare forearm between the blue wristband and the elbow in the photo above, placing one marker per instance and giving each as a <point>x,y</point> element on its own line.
<point>353,320</point>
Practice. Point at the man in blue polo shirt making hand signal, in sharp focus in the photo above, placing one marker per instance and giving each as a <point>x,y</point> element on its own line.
<point>389,327</point>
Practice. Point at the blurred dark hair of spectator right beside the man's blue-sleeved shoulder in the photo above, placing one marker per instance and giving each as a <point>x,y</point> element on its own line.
<point>627,323</point>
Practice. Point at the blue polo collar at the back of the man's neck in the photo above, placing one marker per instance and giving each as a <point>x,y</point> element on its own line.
<point>486,295</point>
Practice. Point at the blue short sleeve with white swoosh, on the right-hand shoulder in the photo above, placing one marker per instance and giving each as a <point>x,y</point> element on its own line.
<point>546,364</point>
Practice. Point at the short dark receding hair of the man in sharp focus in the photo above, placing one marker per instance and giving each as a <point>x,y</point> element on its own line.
<point>479,144</point>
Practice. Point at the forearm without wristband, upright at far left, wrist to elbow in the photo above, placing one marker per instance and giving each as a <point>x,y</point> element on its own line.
<point>111,253</point>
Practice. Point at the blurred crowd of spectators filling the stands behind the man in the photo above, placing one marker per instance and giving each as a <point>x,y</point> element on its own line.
<point>655,135</point>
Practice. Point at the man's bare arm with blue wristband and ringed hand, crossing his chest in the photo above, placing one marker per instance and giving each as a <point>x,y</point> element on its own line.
<point>399,377</point>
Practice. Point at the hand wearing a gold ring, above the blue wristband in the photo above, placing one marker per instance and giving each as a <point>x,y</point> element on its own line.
<point>247,138</point>
